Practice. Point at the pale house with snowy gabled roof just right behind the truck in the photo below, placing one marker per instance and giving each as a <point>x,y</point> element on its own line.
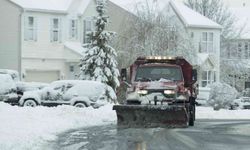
<point>204,35</point>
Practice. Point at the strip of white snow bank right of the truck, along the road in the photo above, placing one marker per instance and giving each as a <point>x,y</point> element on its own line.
<point>209,113</point>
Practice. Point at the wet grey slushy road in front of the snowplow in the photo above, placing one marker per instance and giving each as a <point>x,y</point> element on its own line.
<point>205,135</point>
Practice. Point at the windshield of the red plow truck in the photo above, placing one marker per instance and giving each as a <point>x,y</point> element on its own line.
<point>155,73</point>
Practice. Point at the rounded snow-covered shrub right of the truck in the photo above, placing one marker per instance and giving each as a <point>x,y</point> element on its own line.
<point>221,95</point>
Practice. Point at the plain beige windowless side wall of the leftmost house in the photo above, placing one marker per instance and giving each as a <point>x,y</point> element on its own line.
<point>10,35</point>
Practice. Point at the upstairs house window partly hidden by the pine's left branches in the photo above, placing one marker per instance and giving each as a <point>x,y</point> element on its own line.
<point>88,28</point>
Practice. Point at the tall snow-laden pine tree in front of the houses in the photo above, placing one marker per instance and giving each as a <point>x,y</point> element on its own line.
<point>99,61</point>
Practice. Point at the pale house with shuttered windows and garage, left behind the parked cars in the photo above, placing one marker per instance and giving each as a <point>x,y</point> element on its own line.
<point>49,35</point>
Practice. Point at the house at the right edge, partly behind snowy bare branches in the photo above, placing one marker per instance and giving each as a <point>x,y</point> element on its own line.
<point>238,50</point>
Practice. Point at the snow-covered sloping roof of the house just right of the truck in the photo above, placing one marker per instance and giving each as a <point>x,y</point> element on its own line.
<point>192,18</point>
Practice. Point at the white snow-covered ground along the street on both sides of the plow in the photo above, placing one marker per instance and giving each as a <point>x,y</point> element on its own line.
<point>24,128</point>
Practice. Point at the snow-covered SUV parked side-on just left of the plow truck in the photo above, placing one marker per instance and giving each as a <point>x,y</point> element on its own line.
<point>79,93</point>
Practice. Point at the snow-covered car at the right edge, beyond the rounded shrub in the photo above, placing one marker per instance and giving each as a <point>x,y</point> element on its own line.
<point>242,103</point>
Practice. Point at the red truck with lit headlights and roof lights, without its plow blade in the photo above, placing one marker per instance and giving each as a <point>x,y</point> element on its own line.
<point>172,77</point>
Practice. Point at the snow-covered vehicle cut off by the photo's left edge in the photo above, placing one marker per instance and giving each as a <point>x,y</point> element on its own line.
<point>8,90</point>
